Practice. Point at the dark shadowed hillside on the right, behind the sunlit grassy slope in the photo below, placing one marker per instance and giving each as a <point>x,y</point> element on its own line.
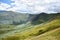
<point>42,17</point>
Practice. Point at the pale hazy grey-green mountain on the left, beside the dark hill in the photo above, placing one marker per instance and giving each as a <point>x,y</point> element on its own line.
<point>9,17</point>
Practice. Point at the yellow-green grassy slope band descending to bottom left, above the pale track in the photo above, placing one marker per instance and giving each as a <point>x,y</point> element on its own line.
<point>34,31</point>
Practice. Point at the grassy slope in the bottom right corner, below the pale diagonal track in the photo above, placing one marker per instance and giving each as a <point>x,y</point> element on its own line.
<point>51,35</point>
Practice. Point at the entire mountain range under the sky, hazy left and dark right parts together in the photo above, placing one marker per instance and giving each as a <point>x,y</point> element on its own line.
<point>9,17</point>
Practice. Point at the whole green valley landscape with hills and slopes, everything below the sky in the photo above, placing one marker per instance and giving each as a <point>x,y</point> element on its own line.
<point>17,26</point>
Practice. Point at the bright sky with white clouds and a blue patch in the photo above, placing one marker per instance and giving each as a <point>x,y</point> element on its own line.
<point>30,6</point>
